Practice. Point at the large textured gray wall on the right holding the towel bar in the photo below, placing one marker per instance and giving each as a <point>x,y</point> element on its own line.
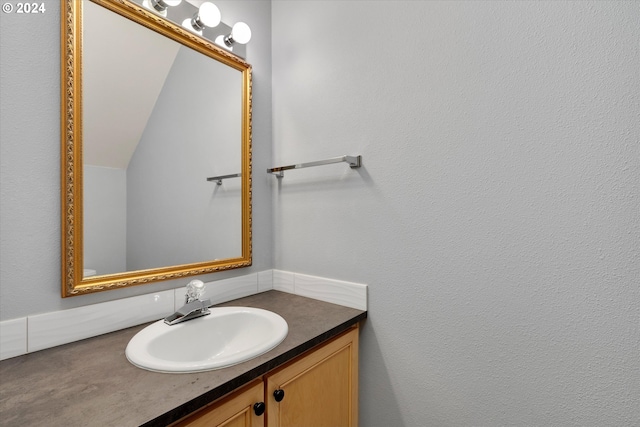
<point>496,217</point>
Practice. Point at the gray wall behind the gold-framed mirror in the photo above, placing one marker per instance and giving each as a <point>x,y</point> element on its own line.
<point>30,159</point>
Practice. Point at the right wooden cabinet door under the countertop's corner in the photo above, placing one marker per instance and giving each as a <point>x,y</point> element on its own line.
<point>318,390</point>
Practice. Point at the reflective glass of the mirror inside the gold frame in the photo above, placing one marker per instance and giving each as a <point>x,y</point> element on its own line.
<point>147,203</point>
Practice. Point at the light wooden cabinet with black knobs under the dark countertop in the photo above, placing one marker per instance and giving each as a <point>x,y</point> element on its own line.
<point>318,389</point>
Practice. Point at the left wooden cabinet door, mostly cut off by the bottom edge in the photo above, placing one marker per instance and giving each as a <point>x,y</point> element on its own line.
<point>235,410</point>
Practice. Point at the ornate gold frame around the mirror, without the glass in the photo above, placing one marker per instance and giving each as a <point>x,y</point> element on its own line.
<point>73,283</point>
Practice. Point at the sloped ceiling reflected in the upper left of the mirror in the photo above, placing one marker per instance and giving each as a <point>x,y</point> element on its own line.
<point>124,68</point>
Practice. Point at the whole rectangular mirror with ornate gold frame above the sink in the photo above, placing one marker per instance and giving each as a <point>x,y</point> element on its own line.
<point>155,150</point>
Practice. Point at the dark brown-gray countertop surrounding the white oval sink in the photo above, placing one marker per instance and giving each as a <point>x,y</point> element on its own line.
<point>91,383</point>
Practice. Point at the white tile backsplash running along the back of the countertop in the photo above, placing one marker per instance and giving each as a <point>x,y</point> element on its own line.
<point>41,331</point>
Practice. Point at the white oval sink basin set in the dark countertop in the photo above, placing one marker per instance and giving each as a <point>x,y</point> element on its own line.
<point>227,336</point>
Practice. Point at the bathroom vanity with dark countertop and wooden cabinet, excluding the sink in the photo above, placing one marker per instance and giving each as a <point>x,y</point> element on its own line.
<point>91,383</point>
